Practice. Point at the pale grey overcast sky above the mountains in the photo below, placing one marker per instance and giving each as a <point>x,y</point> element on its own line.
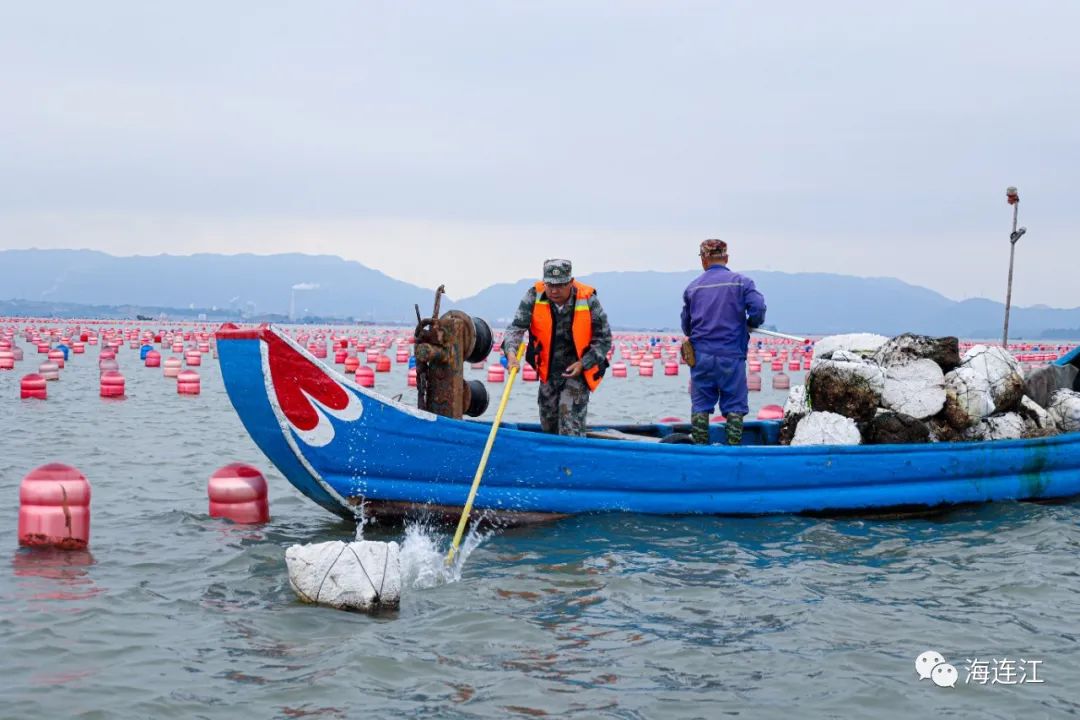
<point>465,142</point>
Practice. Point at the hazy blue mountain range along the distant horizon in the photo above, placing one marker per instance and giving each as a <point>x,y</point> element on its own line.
<point>327,287</point>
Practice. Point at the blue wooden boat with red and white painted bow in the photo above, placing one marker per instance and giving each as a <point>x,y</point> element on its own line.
<point>344,446</point>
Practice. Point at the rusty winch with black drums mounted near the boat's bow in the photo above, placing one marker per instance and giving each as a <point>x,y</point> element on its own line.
<point>443,346</point>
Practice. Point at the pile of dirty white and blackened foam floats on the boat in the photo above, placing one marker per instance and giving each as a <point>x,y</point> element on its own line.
<point>869,389</point>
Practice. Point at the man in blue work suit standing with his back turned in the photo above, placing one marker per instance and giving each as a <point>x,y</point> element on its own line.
<point>719,309</point>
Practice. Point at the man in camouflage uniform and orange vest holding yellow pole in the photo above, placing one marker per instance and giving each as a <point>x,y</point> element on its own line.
<point>570,338</point>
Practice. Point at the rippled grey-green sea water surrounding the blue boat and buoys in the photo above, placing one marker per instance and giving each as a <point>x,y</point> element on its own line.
<point>173,615</point>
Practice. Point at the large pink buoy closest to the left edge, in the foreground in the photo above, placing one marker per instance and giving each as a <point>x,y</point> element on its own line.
<point>55,509</point>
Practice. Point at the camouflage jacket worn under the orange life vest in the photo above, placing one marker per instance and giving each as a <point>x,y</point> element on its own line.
<point>563,352</point>
